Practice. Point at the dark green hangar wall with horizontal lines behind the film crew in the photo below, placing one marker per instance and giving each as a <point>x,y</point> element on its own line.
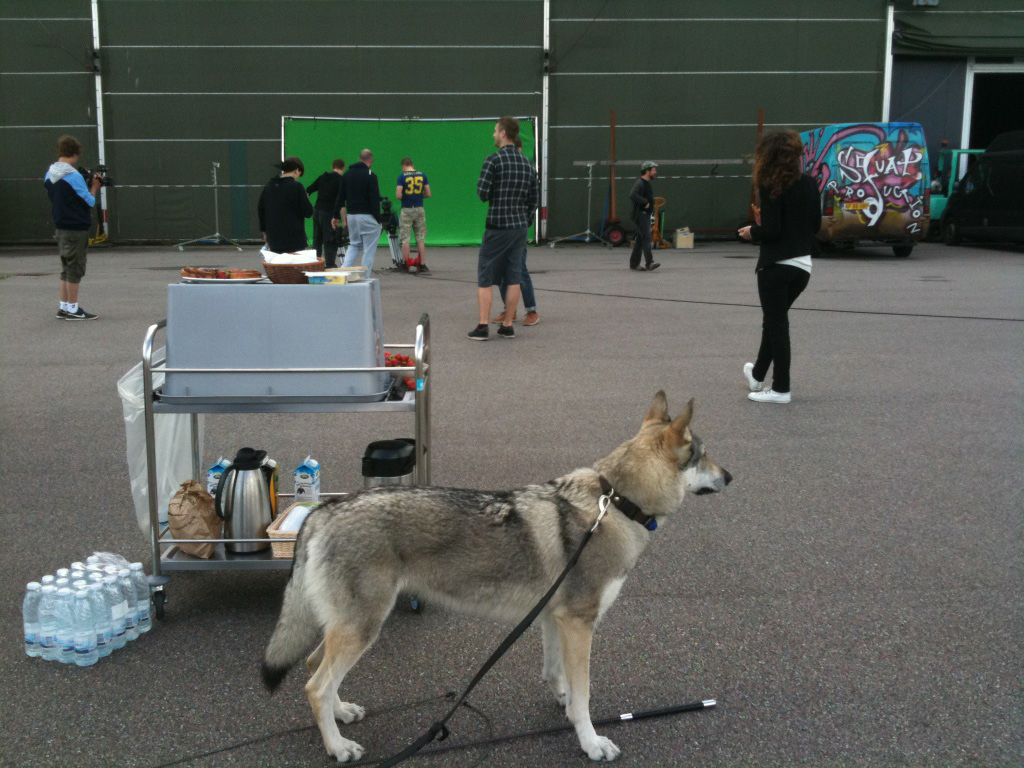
<point>187,84</point>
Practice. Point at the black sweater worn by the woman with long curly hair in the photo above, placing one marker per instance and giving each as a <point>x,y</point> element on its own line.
<point>789,224</point>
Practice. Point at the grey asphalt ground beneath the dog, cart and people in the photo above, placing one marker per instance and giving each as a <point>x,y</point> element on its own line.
<point>855,599</point>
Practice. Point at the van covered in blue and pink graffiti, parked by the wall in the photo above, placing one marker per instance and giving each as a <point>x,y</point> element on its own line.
<point>874,180</point>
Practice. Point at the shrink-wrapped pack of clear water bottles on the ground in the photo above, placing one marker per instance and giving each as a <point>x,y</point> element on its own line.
<point>82,614</point>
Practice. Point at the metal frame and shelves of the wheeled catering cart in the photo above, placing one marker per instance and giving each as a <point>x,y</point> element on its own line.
<point>165,551</point>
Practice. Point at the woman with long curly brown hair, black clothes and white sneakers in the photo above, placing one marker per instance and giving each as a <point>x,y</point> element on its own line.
<point>786,227</point>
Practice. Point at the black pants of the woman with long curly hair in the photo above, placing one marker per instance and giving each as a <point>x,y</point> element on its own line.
<point>779,287</point>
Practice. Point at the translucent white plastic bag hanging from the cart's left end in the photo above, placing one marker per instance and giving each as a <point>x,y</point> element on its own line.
<point>174,444</point>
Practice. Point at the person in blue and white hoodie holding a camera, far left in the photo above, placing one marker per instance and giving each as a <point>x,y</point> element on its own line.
<point>72,203</point>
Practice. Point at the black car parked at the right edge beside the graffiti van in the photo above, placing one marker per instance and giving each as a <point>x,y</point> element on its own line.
<point>989,202</point>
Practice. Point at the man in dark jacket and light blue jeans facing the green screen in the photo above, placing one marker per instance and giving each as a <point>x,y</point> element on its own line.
<point>359,208</point>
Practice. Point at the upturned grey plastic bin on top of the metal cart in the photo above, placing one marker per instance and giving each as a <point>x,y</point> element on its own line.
<point>266,326</point>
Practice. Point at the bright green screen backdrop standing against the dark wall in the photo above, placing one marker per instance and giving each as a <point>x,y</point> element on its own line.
<point>449,152</point>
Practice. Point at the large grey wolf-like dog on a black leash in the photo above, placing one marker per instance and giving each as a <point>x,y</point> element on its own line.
<point>490,553</point>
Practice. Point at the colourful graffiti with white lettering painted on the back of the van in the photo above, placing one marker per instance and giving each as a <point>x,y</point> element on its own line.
<point>871,173</point>
